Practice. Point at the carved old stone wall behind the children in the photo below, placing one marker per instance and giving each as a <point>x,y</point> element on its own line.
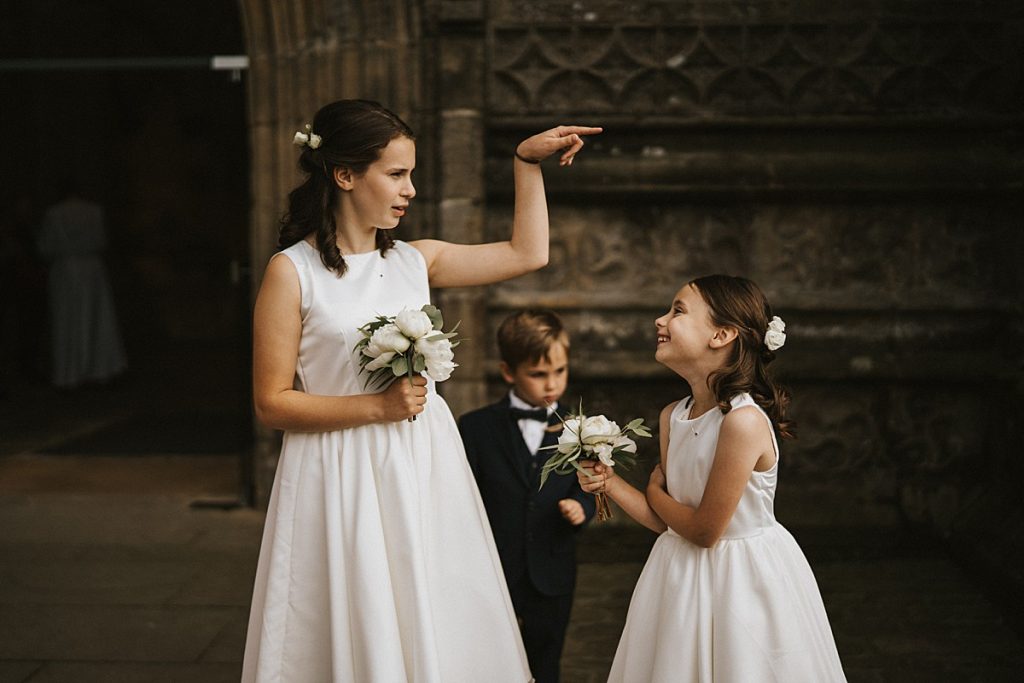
<point>860,160</point>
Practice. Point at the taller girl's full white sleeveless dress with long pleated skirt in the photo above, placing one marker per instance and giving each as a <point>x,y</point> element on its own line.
<point>377,562</point>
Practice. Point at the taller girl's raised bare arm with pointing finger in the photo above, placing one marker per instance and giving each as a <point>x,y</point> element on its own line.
<point>462,266</point>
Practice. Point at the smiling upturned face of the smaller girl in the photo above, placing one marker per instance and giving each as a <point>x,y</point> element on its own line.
<point>686,333</point>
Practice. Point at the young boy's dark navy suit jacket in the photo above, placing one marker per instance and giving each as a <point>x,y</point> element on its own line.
<point>533,537</point>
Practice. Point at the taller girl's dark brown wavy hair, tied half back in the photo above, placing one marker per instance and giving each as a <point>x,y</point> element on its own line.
<point>353,135</point>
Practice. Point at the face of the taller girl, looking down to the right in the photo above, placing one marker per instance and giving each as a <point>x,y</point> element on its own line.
<point>380,197</point>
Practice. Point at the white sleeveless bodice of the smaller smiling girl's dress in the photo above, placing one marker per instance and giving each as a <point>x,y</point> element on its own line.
<point>692,453</point>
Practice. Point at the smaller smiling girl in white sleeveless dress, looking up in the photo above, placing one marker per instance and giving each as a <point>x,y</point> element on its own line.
<point>727,595</point>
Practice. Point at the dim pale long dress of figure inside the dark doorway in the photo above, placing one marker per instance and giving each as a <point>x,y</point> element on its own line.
<point>86,340</point>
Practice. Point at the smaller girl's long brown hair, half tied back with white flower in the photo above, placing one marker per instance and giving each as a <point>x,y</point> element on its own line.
<point>739,304</point>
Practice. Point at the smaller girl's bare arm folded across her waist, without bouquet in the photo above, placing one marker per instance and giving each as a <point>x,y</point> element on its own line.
<point>745,444</point>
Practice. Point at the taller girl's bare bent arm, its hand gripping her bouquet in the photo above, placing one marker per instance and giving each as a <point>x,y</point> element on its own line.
<point>277,331</point>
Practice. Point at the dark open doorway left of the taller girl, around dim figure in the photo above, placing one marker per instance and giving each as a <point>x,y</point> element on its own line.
<point>122,96</point>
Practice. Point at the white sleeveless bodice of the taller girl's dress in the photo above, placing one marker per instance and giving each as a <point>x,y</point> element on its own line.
<point>334,309</point>
